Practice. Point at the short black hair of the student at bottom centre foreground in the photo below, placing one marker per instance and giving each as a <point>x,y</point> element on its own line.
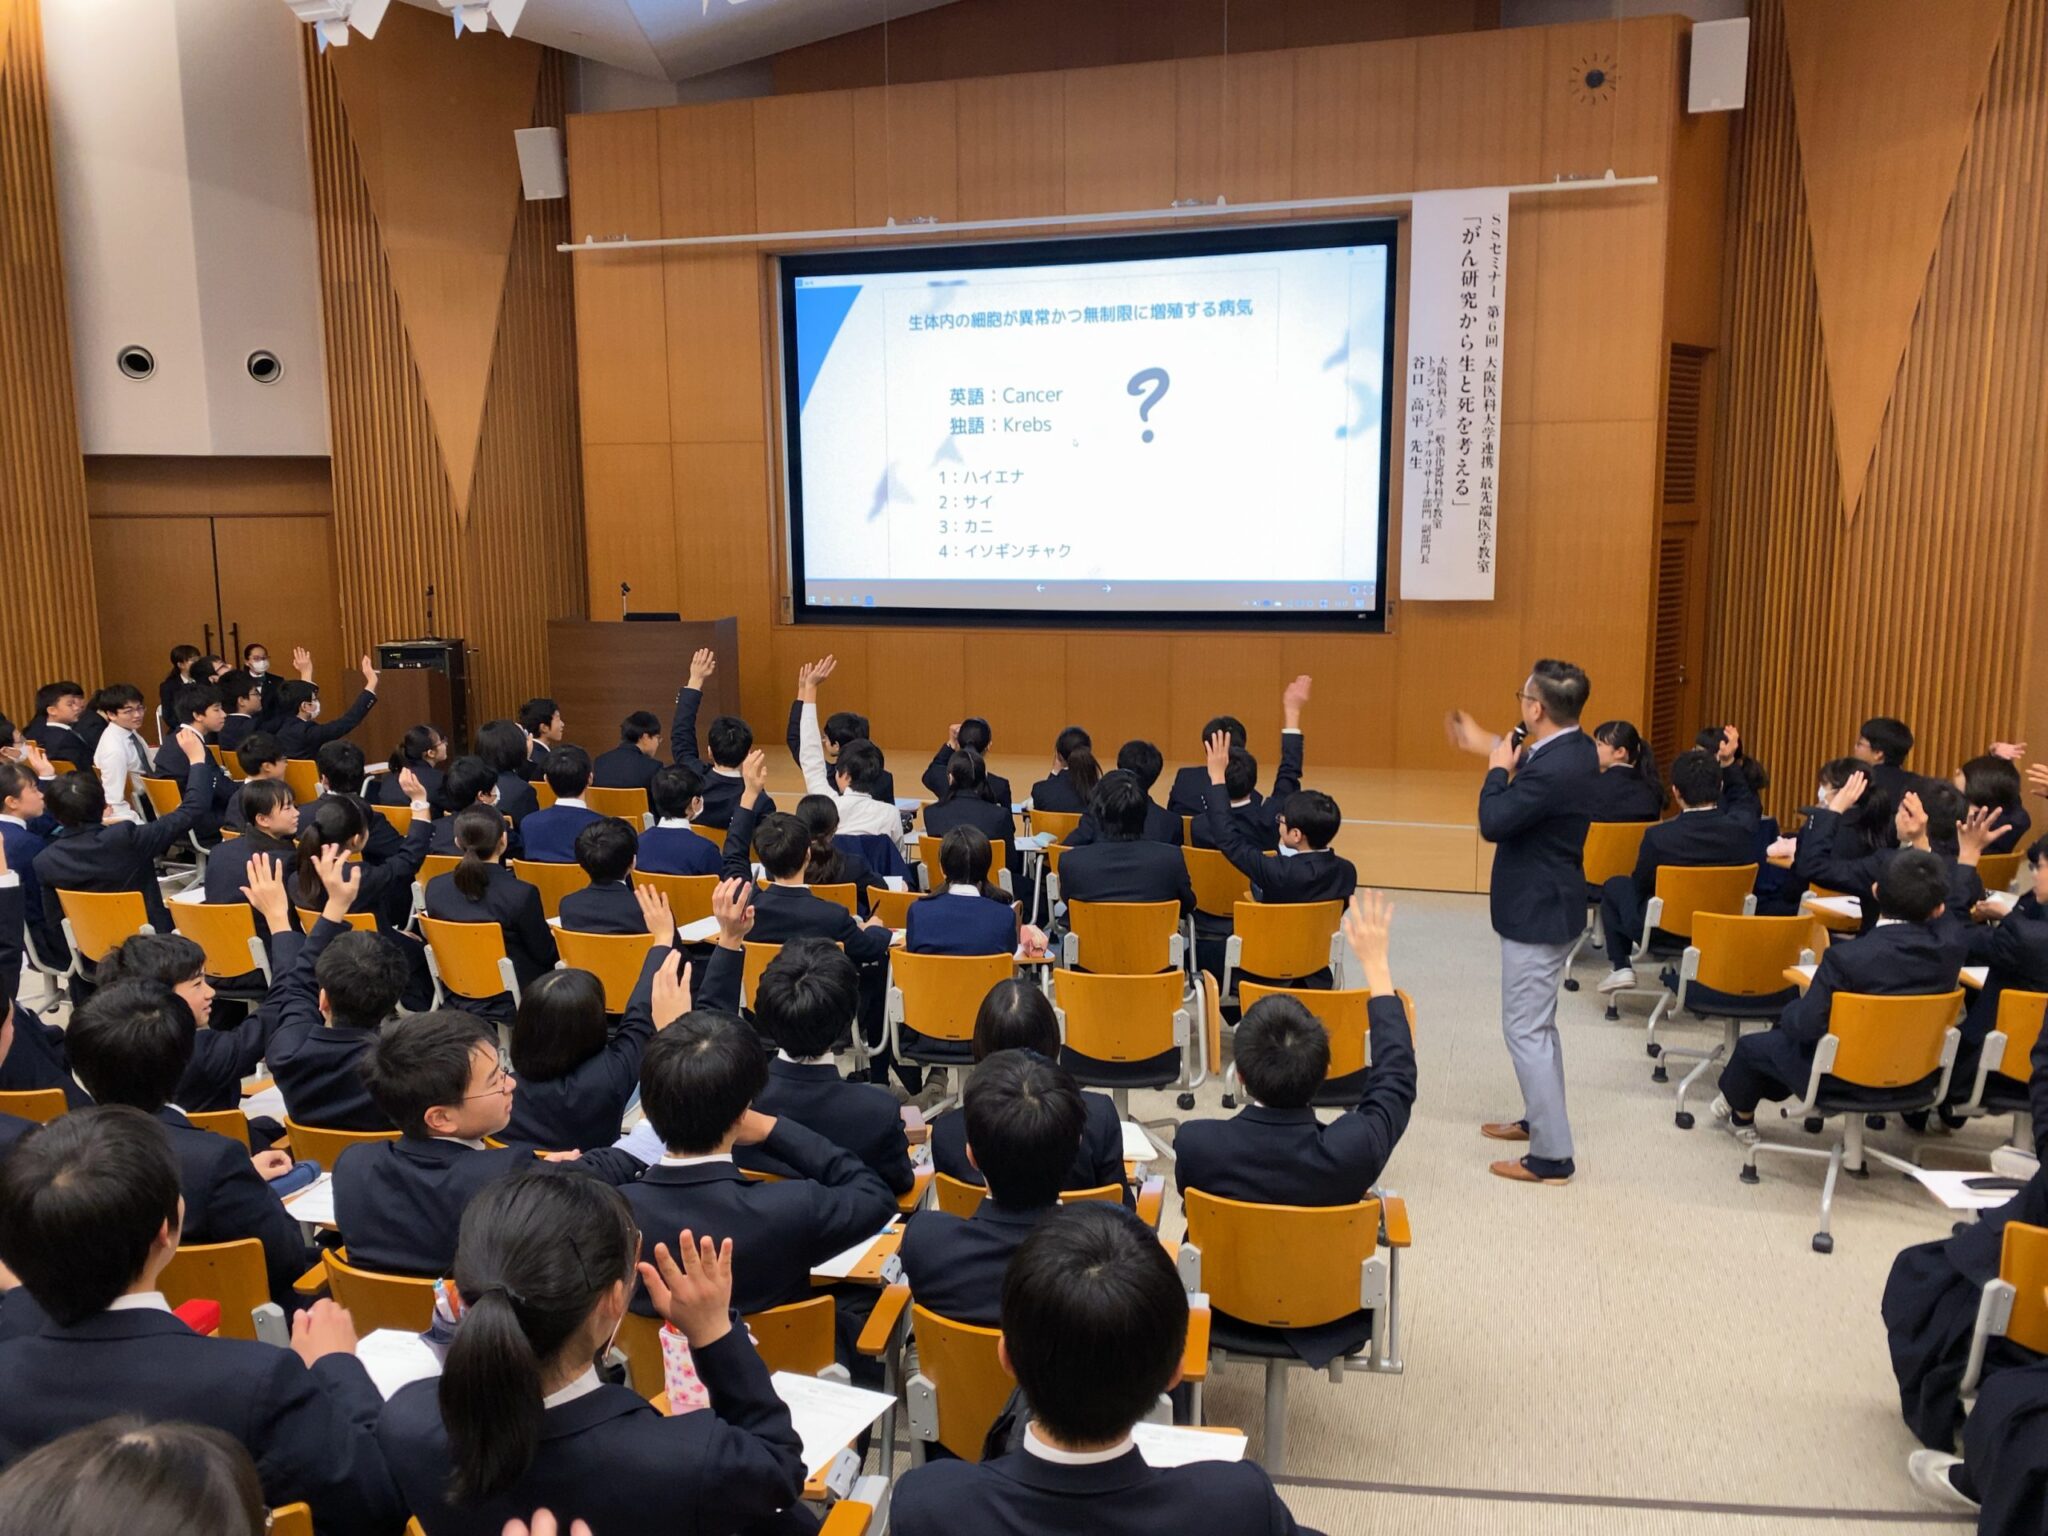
<point>1095,1322</point>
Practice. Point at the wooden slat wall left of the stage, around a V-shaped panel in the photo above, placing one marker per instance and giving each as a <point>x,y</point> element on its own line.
<point>515,558</point>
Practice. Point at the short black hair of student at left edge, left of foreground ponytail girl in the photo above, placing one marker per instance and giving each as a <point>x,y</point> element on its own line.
<point>81,1203</point>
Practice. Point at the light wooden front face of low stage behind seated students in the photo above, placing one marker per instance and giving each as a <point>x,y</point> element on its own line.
<point>1408,830</point>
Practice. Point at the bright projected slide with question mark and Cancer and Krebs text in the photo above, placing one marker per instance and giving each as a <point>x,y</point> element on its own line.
<point>1154,427</point>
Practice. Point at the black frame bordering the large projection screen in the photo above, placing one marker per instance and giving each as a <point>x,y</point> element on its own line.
<point>1068,251</point>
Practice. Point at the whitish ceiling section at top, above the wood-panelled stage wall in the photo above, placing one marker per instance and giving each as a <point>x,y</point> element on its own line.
<point>681,40</point>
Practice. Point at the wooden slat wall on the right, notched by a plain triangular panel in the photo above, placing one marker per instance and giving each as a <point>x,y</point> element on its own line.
<point>1928,605</point>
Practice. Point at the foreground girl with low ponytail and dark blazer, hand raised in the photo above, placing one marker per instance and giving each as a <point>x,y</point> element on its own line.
<point>521,1420</point>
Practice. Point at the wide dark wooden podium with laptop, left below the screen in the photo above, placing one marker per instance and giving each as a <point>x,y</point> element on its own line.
<point>603,671</point>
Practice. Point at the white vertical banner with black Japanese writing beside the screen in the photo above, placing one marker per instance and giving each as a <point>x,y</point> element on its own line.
<point>1451,468</point>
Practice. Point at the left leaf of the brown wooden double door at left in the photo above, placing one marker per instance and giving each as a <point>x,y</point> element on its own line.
<point>157,591</point>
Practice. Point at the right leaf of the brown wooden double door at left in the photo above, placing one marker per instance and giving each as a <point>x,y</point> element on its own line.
<point>278,589</point>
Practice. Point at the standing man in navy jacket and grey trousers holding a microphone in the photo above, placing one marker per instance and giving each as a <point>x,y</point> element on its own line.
<point>1535,812</point>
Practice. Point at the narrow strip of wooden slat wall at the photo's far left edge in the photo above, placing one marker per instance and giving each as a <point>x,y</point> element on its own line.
<point>52,628</point>
